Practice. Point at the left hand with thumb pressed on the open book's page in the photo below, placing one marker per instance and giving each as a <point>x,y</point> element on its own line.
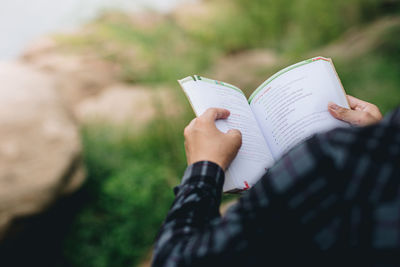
<point>203,141</point>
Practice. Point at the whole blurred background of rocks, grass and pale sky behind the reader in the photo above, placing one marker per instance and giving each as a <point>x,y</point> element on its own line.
<point>92,117</point>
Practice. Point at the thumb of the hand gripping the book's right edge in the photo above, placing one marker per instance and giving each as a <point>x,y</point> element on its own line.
<point>355,117</point>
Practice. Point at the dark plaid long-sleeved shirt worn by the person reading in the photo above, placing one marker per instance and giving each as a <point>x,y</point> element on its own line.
<point>332,201</point>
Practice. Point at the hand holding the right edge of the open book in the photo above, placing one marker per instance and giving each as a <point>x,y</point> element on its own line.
<point>361,113</point>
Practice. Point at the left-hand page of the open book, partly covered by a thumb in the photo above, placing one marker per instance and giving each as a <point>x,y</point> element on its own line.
<point>254,156</point>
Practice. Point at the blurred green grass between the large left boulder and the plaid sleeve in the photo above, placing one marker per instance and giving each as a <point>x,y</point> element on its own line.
<point>128,192</point>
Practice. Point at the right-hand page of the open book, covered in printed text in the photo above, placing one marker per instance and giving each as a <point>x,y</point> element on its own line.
<point>293,104</point>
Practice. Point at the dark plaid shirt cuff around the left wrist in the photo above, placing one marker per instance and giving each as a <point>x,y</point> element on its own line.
<point>204,173</point>
